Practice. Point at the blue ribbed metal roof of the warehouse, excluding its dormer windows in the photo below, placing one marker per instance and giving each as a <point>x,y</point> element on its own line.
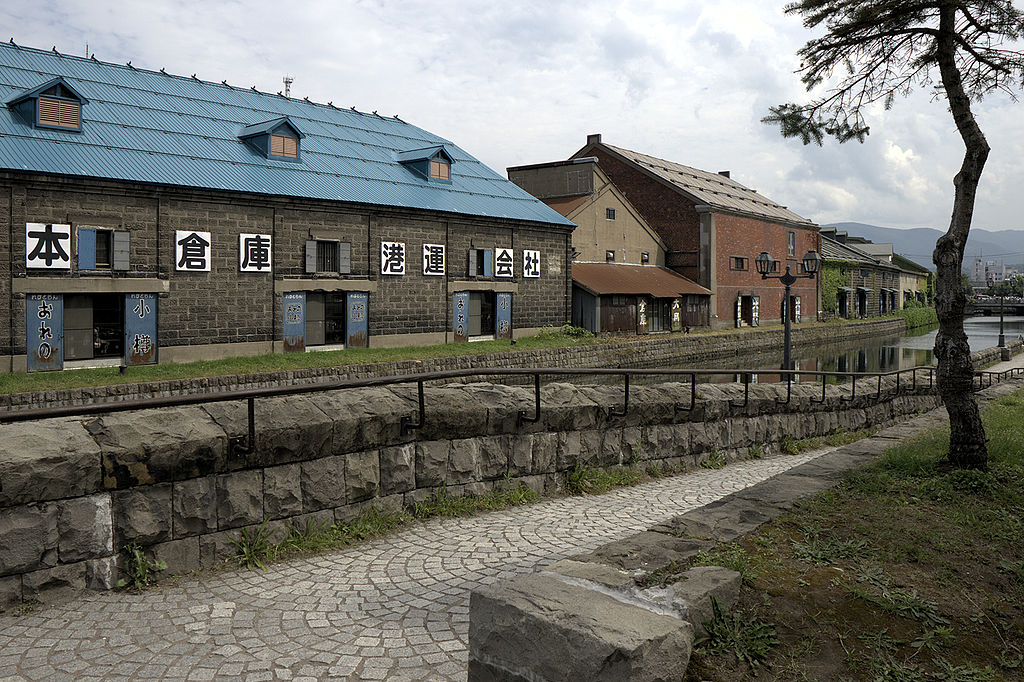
<point>147,126</point>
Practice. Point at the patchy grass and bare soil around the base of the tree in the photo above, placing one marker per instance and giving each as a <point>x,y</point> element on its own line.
<point>907,571</point>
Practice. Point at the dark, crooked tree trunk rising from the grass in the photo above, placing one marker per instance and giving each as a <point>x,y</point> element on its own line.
<point>956,373</point>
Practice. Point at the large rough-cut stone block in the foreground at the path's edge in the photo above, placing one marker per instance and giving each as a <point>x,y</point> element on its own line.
<point>542,628</point>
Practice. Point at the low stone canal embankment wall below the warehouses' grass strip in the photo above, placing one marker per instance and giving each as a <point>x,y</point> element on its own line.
<point>649,352</point>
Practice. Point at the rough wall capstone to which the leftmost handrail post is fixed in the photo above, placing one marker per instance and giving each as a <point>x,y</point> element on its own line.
<point>288,430</point>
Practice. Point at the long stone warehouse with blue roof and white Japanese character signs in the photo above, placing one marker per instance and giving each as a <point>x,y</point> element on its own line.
<point>148,218</point>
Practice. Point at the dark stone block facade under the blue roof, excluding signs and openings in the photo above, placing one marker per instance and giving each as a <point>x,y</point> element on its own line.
<point>228,313</point>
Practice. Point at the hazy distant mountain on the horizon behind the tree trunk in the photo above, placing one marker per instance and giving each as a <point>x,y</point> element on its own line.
<point>1005,246</point>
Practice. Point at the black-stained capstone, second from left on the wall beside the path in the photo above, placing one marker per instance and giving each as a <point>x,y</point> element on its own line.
<point>159,446</point>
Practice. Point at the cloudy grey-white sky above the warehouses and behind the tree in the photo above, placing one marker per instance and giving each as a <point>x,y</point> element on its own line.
<point>525,82</point>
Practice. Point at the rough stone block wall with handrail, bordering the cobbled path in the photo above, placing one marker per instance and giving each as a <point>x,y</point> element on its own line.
<point>77,491</point>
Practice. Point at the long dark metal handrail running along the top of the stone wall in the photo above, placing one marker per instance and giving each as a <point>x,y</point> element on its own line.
<point>246,444</point>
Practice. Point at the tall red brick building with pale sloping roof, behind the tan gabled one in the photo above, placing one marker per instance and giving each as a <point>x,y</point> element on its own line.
<point>713,228</point>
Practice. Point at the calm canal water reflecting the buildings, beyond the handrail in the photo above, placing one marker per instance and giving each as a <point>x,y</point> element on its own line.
<point>874,355</point>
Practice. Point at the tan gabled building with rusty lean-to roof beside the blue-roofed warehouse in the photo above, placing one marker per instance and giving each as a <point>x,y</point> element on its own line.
<point>620,282</point>
